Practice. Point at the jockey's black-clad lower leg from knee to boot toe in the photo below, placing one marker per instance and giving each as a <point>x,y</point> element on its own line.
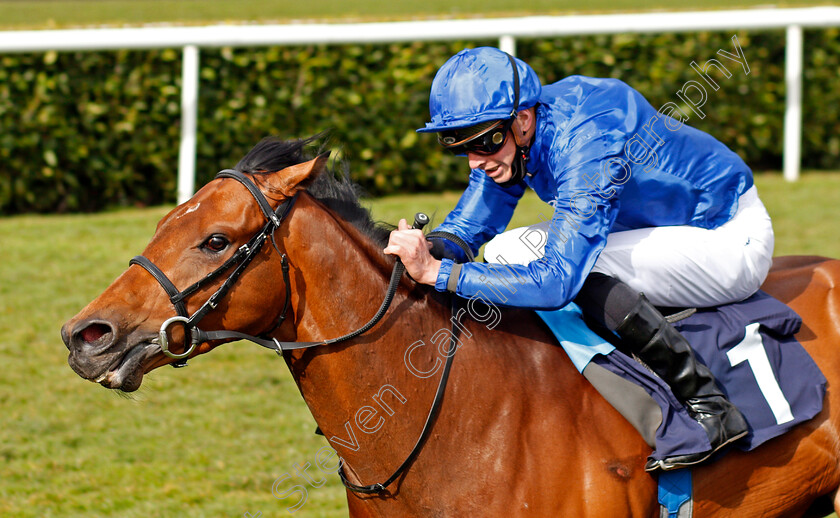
<point>644,332</point>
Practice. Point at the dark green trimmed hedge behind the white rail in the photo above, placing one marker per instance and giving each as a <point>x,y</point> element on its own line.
<point>85,131</point>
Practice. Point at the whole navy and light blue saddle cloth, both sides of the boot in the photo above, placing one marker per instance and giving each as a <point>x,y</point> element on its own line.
<point>749,347</point>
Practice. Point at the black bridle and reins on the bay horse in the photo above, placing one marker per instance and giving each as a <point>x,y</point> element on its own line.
<point>193,335</point>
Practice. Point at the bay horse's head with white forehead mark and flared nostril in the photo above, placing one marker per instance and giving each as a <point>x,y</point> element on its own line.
<point>115,340</point>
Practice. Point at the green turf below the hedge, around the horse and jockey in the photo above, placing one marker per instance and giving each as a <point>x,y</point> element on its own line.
<point>211,439</point>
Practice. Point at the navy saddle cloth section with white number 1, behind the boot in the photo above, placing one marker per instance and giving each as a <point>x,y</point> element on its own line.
<point>750,348</point>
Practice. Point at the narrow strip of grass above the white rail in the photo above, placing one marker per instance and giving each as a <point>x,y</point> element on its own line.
<point>64,13</point>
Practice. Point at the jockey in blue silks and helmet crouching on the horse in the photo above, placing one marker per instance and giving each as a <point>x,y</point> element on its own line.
<point>647,212</point>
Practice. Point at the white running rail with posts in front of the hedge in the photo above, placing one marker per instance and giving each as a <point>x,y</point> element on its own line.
<point>191,39</point>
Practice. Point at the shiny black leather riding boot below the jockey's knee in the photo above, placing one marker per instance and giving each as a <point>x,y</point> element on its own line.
<point>657,343</point>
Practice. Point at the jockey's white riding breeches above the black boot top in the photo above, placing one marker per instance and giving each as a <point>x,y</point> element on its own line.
<point>677,266</point>
